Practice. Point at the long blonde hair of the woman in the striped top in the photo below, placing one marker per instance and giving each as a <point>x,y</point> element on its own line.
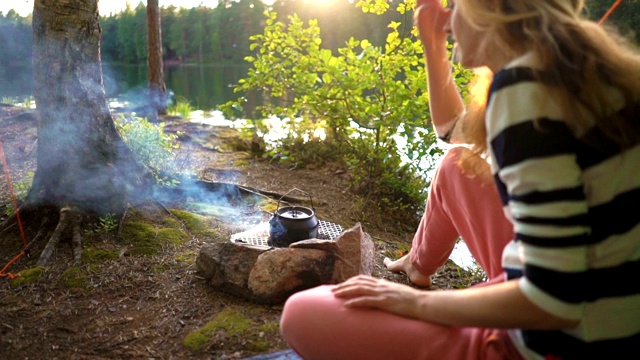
<point>579,61</point>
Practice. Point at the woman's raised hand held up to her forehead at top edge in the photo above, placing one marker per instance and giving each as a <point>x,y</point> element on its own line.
<point>431,18</point>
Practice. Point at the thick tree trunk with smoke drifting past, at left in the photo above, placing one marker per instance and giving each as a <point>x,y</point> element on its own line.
<point>81,159</point>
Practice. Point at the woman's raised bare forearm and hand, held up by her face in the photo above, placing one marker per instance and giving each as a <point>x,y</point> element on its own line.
<point>445,103</point>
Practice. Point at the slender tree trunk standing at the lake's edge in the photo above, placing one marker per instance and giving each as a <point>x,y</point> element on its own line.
<point>157,87</point>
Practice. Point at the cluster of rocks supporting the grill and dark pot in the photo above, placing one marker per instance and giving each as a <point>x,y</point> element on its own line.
<point>271,275</point>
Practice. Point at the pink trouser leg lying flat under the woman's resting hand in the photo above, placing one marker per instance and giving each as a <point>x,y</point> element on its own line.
<point>317,326</point>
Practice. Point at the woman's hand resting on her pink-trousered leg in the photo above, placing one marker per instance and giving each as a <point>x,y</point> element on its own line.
<point>369,292</point>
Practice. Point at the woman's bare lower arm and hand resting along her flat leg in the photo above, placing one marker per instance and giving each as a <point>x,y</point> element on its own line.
<point>500,305</point>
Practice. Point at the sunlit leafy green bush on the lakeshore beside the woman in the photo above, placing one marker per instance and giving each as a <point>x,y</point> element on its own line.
<point>365,99</point>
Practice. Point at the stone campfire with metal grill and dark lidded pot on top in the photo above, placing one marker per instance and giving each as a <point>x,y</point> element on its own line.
<point>292,251</point>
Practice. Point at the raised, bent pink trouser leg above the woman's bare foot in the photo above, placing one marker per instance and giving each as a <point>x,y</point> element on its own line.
<point>461,206</point>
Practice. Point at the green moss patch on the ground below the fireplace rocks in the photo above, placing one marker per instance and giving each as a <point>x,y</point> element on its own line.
<point>232,322</point>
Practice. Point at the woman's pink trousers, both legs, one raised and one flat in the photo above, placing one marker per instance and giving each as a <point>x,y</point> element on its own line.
<point>317,326</point>
